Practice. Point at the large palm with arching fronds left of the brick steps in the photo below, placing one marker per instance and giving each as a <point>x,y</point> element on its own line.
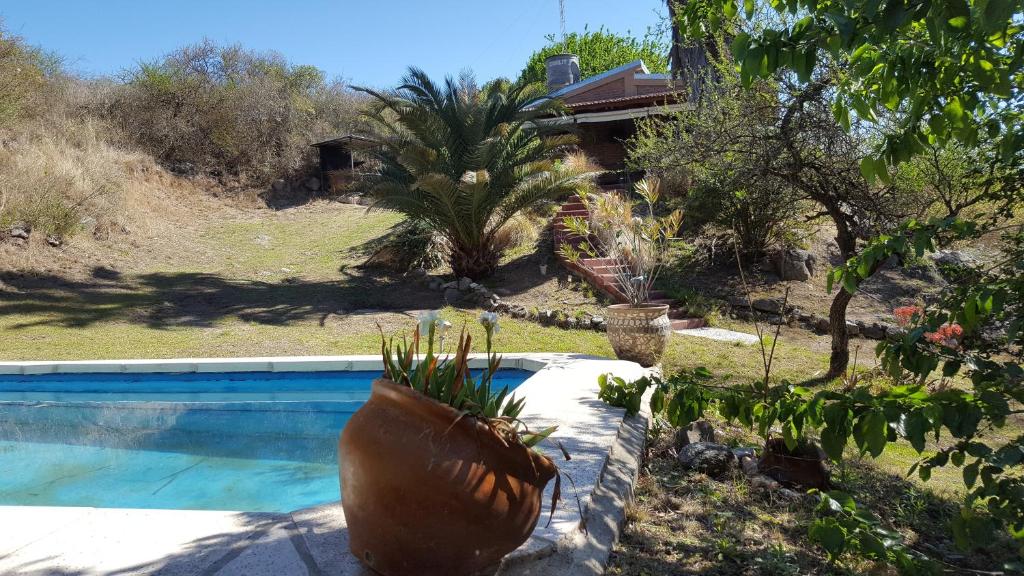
<point>466,159</point>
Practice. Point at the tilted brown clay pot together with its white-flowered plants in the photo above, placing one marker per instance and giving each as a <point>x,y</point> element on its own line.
<point>439,475</point>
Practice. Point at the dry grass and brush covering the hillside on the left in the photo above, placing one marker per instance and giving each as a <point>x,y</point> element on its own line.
<point>111,158</point>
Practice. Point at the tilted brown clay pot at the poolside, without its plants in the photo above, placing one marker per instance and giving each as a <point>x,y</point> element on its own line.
<point>426,492</point>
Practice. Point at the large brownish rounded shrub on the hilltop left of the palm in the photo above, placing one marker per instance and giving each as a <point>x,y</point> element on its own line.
<point>230,111</point>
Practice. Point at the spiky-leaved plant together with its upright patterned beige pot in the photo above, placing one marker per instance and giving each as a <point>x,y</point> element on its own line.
<point>624,245</point>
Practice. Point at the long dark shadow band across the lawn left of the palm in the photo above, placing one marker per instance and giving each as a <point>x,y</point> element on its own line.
<point>166,300</point>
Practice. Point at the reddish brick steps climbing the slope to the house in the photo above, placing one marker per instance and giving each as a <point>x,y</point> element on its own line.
<point>601,273</point>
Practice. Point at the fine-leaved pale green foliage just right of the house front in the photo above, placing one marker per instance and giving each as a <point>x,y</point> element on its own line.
<point>723,161</point>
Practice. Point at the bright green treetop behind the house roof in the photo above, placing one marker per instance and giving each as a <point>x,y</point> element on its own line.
<point>600,52</point>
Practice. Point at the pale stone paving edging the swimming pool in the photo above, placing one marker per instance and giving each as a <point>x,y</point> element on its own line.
<point>564,391</point>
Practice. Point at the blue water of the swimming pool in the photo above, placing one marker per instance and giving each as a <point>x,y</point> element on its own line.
<point>246,441</point>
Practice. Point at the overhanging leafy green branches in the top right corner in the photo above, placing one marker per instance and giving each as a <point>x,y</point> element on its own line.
<point>952,70</point>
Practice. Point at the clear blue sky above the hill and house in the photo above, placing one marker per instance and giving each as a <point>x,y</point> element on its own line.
<point>366,42</point>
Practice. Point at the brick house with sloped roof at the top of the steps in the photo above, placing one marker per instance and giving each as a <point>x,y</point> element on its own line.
<point>604,109</point>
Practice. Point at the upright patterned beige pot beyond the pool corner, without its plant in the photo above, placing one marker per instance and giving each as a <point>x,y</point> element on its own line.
<point>639,334</point>
